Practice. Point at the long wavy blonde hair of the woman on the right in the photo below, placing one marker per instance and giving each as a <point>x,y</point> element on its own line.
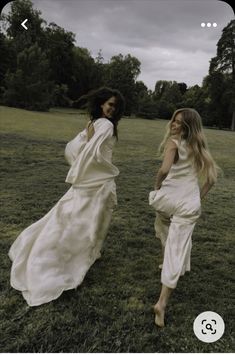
<point>192,132</point>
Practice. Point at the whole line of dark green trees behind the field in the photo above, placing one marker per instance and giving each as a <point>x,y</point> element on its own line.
<point>42,67</point>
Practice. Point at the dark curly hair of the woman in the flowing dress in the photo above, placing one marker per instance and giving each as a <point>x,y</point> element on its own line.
<point>96,98</point>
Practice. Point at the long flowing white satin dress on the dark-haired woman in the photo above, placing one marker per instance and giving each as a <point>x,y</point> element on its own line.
<point>55,253</point>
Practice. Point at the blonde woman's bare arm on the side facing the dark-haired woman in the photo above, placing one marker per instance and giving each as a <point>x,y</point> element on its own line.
<point>168,160</point>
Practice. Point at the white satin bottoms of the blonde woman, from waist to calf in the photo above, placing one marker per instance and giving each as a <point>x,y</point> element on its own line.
<point>174,225</point>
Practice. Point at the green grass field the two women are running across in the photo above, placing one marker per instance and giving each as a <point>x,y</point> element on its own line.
<point>111,310</point>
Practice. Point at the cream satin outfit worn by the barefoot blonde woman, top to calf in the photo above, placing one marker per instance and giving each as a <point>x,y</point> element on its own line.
<point>178,206</point>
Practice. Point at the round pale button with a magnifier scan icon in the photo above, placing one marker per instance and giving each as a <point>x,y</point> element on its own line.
<point>208,327</point>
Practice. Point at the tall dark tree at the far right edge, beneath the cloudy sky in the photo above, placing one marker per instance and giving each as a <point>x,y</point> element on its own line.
<point>224,63</point>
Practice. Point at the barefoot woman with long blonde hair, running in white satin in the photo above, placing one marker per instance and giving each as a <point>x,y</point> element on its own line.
<point>177,197</point>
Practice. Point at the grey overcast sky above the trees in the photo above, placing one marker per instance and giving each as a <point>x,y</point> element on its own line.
<point>165,35</point>
